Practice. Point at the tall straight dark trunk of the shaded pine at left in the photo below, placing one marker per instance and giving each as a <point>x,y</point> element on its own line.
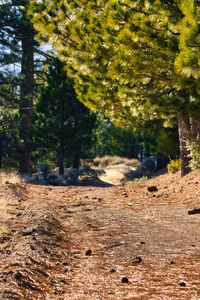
<point>26,99</point>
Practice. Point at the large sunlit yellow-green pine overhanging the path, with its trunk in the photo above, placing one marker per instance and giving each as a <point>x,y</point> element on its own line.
<point>123,56</point>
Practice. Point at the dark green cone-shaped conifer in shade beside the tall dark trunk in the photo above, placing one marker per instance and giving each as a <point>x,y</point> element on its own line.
<point>62,124</point>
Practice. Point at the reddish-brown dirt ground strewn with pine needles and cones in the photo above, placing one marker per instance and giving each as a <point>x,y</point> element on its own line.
<point>134,241</point>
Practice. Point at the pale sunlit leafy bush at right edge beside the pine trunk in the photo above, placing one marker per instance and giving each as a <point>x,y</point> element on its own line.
<point>194,149</point>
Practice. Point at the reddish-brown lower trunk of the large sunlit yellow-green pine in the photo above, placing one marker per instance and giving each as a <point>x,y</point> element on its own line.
<point>184,135</point>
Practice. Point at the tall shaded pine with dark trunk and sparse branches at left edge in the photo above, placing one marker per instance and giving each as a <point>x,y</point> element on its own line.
<point>17,83</point>
